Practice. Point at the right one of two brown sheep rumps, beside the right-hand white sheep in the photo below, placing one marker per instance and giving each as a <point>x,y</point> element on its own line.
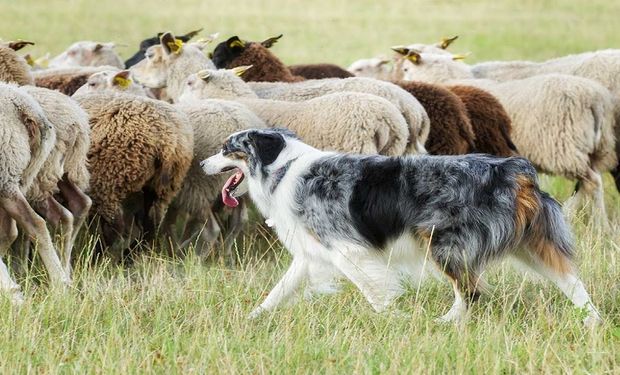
<point>489,120</point>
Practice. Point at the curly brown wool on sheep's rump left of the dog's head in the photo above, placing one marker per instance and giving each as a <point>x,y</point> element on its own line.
<point>135,142</point>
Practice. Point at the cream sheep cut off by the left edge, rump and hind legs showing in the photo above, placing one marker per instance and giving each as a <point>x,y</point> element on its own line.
<point>27,139</point>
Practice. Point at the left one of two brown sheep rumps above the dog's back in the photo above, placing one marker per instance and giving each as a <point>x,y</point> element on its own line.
<point>451,130</point>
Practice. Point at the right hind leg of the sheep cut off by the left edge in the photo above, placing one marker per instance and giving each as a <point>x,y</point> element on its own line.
<point>19,209</point>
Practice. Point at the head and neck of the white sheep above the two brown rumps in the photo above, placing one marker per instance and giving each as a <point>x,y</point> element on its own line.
<point>414,65</point>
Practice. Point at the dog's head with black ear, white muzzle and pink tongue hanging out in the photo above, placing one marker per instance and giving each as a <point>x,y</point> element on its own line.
<point>252,152</point>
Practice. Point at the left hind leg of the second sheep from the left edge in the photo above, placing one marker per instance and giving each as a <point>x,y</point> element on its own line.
<point>61,220</point>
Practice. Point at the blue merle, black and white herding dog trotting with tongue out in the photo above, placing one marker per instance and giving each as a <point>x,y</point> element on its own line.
<point>376,220</point>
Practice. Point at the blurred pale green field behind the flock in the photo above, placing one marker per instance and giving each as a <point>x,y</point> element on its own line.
<point>324,30</point>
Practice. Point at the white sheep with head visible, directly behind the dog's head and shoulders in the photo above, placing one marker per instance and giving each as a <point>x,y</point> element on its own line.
<point>344,121</point>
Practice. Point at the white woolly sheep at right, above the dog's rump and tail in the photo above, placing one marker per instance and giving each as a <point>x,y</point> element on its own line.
<point>562,123</point>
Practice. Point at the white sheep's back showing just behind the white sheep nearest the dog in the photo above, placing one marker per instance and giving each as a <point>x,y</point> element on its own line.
<point>411,109</point>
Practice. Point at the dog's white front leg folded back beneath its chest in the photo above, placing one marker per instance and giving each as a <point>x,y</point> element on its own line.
<point>374,277</point>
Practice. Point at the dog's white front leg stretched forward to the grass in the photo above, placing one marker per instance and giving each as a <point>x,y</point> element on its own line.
<point>285,288</point>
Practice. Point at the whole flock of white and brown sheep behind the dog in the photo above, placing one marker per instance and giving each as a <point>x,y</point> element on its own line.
<point>83,131</point>
